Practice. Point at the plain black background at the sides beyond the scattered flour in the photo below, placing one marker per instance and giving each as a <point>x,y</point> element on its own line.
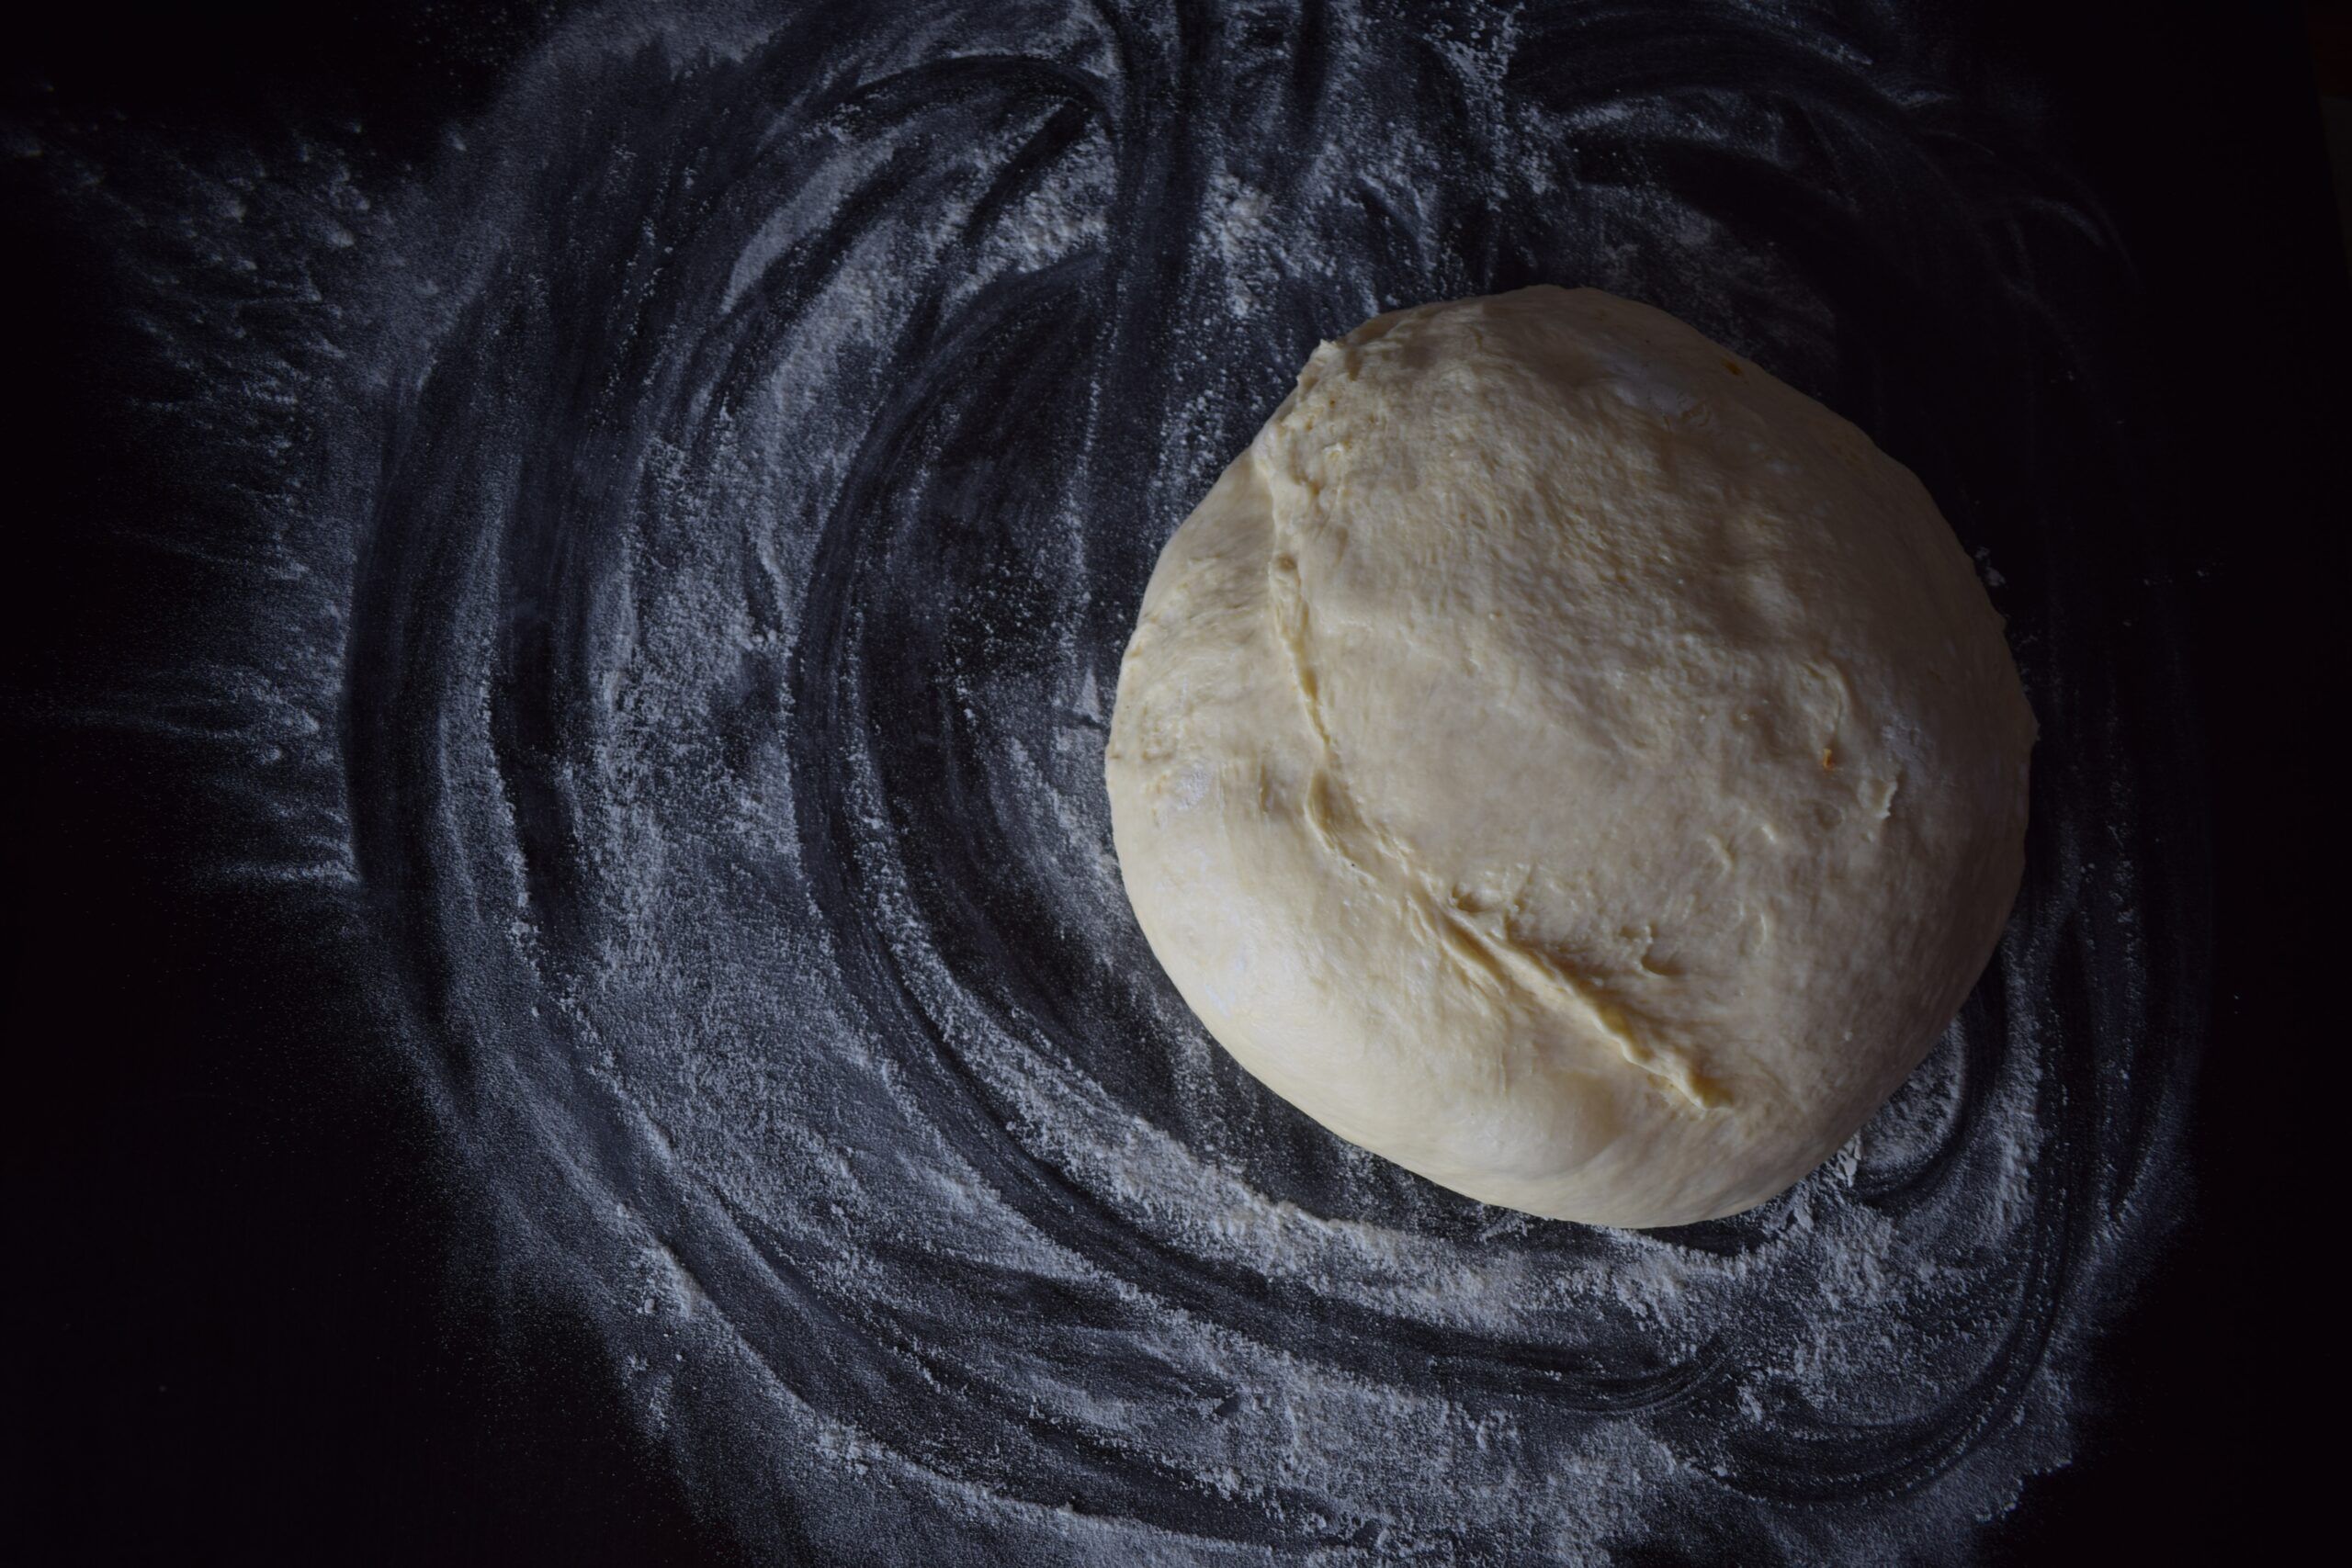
<point>229,1329</point>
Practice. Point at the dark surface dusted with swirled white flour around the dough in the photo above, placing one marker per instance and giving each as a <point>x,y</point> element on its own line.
<point>681,549</point>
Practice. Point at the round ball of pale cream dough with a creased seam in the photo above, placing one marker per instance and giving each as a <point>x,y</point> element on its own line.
<point>1570,763</point>
